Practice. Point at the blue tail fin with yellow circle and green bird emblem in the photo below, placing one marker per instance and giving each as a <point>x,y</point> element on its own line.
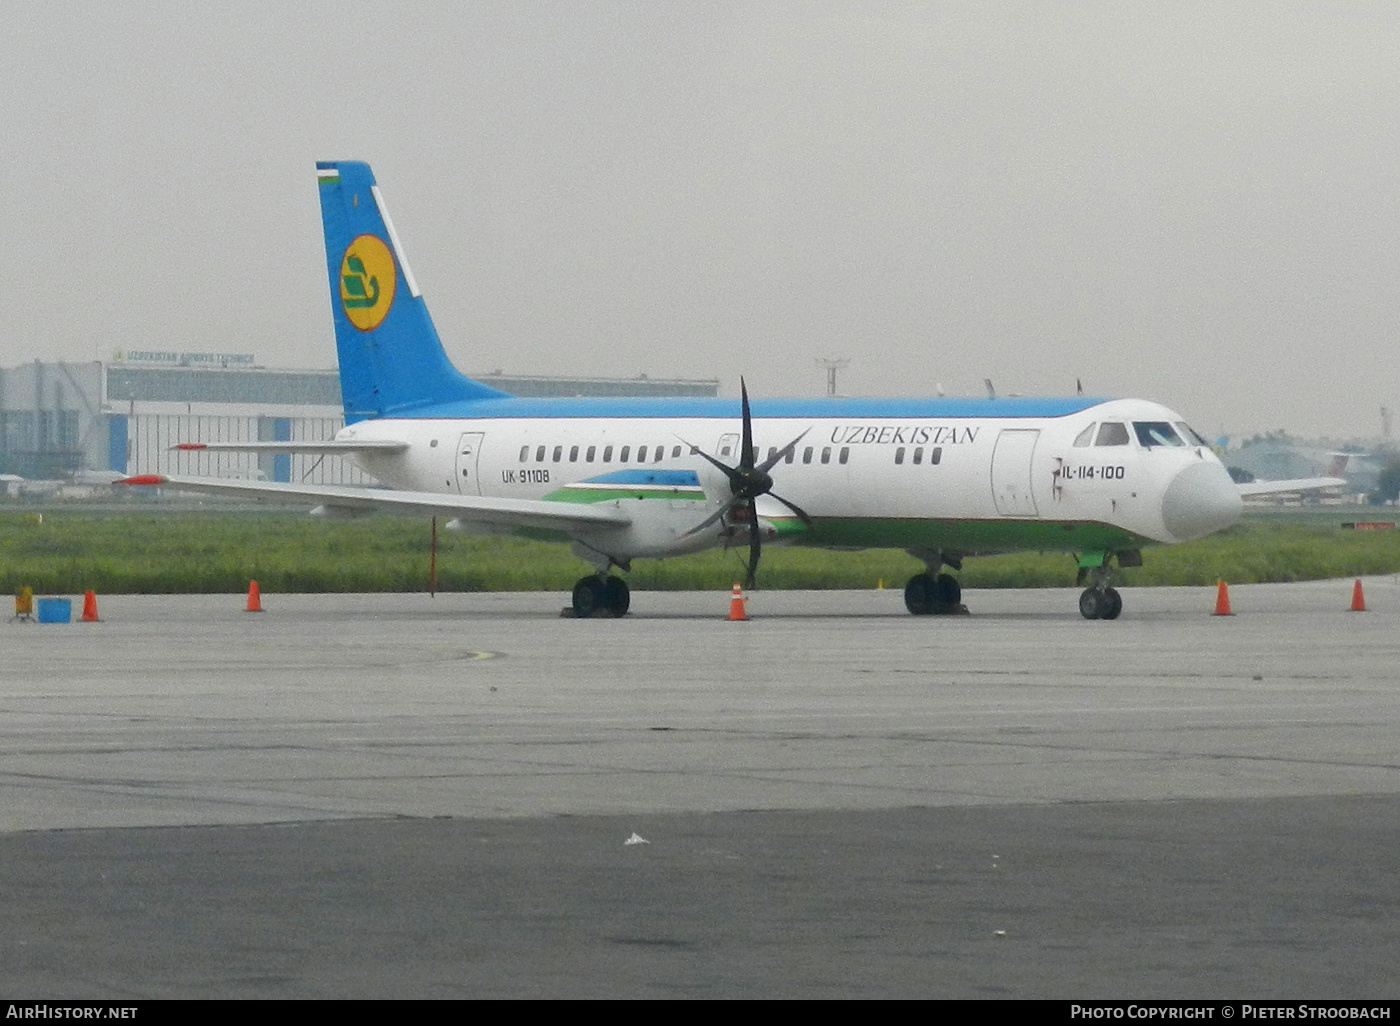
<point>391,358</point>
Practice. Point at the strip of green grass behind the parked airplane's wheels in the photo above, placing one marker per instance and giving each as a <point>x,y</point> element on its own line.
<point>220,552</point>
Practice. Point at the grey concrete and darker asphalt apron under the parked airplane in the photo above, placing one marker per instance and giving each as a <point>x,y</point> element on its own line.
<point>379,796</point>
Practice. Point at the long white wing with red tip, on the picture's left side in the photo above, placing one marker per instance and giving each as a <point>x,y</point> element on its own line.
<point>509,513</point>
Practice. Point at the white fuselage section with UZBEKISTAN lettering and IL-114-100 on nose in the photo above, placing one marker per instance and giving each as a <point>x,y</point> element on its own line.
<point>845,472</point>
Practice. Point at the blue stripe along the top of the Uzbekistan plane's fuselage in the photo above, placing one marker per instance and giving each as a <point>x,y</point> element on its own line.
<point>793,409</point>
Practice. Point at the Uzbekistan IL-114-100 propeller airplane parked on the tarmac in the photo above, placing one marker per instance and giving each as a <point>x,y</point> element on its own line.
<point>626,479</point>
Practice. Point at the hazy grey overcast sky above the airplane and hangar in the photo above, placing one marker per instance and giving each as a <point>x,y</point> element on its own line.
<point>1188,202</point>
